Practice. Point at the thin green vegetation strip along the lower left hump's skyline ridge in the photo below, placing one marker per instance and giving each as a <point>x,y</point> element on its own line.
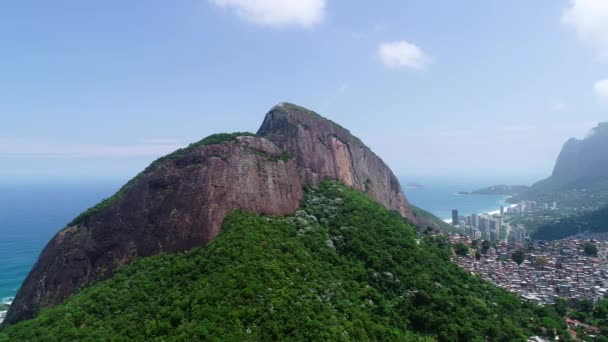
<point>213,139</point>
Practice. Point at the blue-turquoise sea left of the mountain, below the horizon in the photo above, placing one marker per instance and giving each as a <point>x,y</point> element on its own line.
<point>29,216</point>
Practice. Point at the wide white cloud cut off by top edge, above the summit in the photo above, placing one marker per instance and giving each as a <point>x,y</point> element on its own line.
<point>304,13</point>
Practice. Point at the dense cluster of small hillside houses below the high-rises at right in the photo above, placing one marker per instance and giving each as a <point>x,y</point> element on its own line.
<point>550,269</point>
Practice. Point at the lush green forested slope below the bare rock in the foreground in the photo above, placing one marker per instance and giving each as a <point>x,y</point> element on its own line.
<point>341,268</point>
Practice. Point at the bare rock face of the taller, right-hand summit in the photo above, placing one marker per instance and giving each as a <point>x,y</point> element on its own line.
<point>323,148</point>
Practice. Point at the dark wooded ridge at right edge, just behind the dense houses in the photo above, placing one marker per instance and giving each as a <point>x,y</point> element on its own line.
<point>590,222</point>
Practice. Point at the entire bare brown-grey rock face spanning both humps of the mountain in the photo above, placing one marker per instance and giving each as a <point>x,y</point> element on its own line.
<point>180,201</point>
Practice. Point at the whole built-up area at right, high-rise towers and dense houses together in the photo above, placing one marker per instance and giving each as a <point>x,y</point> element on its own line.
<point>500,247</point>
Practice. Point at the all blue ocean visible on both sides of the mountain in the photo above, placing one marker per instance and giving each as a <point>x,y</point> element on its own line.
<point>31,214</point>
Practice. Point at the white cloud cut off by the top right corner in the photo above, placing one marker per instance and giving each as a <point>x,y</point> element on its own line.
<point>589,18</point>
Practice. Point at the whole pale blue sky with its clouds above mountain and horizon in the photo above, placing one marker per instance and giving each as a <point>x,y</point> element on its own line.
<point>438,88</point>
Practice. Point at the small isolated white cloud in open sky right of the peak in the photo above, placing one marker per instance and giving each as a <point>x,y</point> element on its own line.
<point>402,54</point>
